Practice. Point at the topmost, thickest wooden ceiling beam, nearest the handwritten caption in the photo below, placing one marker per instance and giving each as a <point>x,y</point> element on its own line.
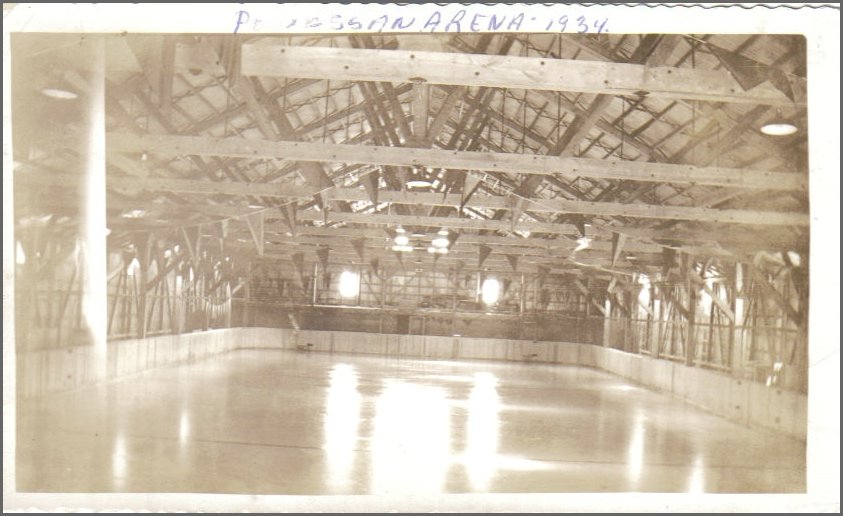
<point>531,73</point>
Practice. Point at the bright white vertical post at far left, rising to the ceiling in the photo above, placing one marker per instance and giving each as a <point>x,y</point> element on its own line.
<point>93,236</point>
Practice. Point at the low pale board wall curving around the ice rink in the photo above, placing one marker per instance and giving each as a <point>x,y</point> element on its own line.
<point>746,402</point>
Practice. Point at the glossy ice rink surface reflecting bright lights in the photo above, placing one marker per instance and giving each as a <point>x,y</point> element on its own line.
<point>299,423</point>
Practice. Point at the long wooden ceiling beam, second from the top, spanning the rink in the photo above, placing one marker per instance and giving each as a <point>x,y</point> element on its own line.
<point>236,147</point>
